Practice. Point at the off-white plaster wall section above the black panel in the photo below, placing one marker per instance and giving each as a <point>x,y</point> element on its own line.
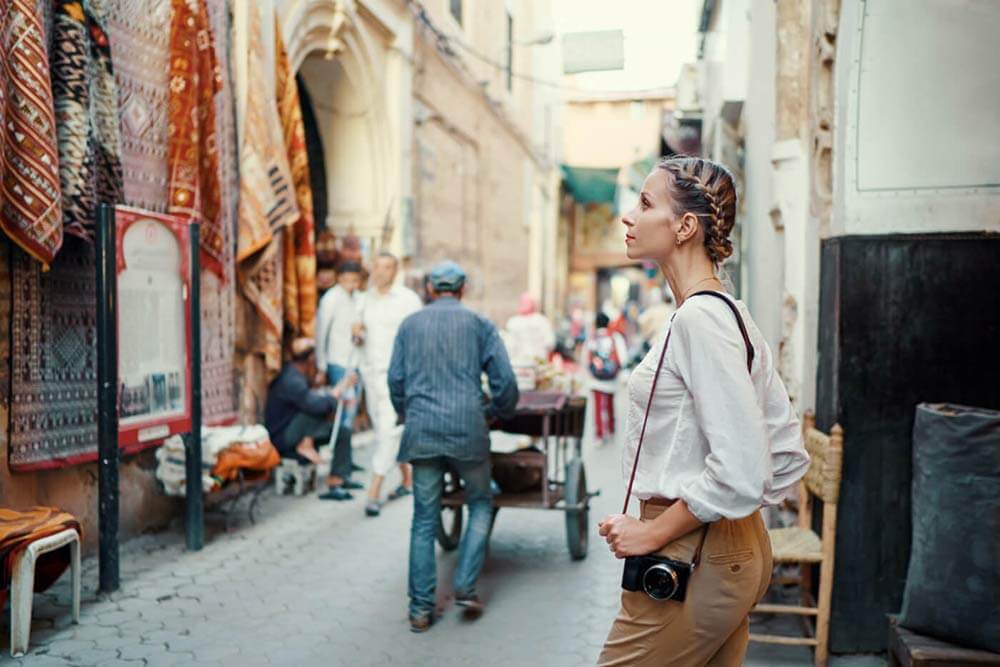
<point>917,93</point>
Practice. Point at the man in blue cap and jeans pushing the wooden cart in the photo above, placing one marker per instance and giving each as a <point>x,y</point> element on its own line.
<point>437,361</point>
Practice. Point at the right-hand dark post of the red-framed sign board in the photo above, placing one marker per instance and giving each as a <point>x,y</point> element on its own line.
<point>193,505</point>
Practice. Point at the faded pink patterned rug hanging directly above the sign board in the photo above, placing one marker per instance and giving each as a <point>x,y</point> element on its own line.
<point>140,39</point>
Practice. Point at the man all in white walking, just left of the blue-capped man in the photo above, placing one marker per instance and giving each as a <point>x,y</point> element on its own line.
<point>383,309</point>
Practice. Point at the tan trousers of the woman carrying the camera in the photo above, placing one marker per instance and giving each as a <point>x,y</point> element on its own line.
<point>711,627</point>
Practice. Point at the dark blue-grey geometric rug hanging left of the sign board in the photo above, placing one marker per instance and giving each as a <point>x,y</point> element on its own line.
<point>53,403</point>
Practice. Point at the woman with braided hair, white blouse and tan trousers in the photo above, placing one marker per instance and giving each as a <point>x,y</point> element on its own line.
<point>720,441</point>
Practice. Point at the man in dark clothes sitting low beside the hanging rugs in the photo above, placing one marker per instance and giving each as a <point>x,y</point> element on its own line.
<point>300,418</point>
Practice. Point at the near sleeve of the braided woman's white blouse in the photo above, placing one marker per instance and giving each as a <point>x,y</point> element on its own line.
<point>710,356</point>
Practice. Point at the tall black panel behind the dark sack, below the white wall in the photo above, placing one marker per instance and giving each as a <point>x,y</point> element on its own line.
<point>903,319</point>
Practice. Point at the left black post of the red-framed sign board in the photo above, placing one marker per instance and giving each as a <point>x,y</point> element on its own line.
<point>107,400</point>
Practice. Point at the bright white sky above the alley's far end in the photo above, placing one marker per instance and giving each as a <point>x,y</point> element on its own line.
<point>660,36</point>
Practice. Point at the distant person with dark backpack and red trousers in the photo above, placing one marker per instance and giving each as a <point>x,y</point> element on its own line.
<point>603,357</point>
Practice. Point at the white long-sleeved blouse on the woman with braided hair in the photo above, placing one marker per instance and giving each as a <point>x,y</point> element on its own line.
<point>723,440</point>
